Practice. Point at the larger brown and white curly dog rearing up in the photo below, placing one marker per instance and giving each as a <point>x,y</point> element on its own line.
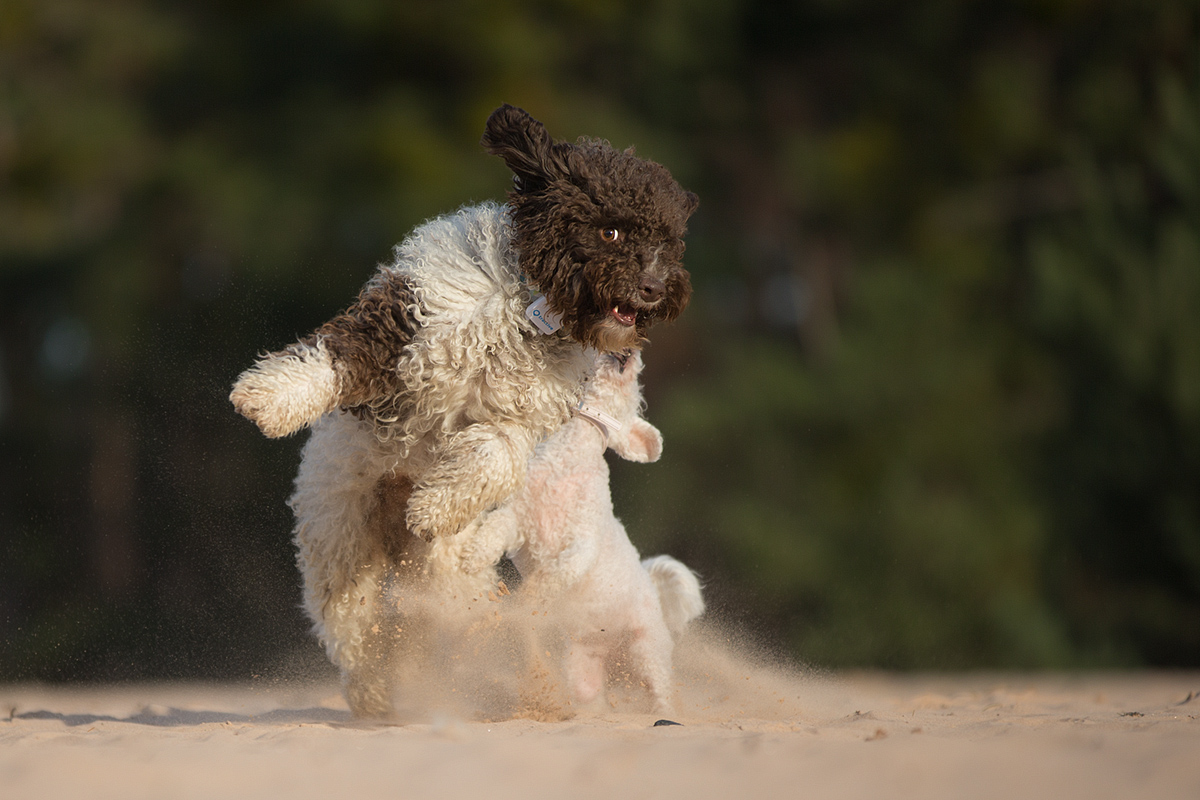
<point>428,396</point>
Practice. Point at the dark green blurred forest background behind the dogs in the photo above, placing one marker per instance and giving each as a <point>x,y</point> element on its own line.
<point>937,404</point>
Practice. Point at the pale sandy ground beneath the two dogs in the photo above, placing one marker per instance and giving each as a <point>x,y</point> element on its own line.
<point>746,732</point>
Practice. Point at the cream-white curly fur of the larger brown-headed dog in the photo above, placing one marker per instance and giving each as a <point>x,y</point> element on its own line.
<point>482,388</point>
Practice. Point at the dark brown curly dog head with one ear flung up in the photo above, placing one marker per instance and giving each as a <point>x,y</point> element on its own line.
<point>598,231</point>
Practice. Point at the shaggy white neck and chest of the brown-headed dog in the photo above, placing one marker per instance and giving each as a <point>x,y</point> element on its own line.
<point>476,359</point>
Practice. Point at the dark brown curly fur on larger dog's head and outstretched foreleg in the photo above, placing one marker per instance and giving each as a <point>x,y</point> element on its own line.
<point>567,196</point>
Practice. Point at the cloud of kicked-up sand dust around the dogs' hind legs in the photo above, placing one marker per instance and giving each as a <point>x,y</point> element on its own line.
<point>500,658</point>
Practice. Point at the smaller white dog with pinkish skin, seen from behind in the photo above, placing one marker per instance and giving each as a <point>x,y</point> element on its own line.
<point>575,556</point>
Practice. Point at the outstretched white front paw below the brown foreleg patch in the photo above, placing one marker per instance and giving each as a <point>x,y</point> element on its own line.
<point>287,392</point>
